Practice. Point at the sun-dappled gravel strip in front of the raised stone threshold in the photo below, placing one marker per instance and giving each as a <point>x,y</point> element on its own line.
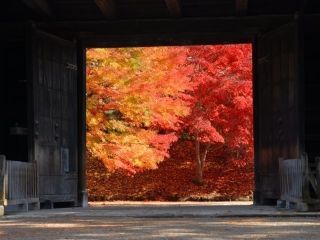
<point>159,228</point>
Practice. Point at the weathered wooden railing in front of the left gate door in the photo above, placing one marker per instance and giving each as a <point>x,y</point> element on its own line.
<point>19,183</point>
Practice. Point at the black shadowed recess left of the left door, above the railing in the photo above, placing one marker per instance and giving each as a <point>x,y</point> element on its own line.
<point>13,99</point>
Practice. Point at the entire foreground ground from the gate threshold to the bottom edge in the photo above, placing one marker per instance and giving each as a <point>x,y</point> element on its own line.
<point>100,222</point>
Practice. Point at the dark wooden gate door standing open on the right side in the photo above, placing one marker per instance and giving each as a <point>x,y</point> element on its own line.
<point>277,105</point>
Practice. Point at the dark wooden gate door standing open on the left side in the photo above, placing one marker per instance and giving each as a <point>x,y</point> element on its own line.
<point>54,127</point>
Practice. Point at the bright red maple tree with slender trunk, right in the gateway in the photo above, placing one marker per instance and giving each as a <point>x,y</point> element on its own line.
<point>221,115</point>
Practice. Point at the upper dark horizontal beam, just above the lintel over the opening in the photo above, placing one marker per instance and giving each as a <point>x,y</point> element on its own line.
<point>169,26</point>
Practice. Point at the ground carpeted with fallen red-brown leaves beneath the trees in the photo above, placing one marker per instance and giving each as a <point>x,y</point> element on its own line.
<point>173,180</point>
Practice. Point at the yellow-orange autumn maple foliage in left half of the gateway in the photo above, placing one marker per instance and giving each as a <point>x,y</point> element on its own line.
<point>135,100</point>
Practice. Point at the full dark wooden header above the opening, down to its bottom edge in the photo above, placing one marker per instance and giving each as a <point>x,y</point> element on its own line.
<point>161,32</point>
